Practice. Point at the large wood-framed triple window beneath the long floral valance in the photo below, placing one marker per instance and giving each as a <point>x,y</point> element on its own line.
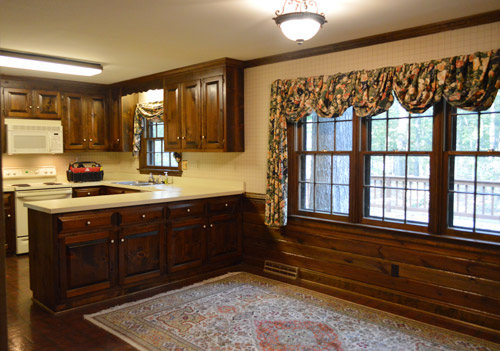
<point>435,172</point>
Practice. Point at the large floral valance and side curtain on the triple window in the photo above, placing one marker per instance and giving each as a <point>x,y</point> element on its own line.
<point>469,82</point>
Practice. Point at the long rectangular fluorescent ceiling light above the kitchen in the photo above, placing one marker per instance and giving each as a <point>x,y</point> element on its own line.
<point>48,64</point>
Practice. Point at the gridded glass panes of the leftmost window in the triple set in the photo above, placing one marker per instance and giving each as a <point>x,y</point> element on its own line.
<point>324,157</point>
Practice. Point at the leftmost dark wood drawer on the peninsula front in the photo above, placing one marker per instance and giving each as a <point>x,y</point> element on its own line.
<point>84,221</point>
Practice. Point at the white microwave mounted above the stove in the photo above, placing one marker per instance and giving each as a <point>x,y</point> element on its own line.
<point>34,136</point>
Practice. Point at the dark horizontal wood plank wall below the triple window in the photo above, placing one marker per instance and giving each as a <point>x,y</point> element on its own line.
<point>440,281</point>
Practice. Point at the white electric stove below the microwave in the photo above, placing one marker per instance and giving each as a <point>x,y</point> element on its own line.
<point>32,184</point>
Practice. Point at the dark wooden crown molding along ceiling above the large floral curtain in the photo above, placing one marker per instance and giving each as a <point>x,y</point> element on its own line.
<point>463,22</point>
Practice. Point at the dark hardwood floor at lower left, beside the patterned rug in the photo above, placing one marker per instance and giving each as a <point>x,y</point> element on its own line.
<point>30,327</point>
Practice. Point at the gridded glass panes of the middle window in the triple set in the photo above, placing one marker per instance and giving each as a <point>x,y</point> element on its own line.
<point>397,166</point>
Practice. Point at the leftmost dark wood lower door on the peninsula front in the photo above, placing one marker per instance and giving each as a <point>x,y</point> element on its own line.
<point>87,263</point>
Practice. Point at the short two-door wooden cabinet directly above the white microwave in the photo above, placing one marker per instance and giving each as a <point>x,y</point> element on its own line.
<point>29,103</point>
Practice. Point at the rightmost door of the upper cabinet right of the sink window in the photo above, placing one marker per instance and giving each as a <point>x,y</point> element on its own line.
<point>212,136</point>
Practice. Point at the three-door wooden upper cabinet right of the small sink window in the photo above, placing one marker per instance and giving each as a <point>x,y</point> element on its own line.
<point>203,109</point>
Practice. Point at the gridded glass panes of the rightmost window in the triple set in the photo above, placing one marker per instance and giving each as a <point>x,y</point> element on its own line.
<point>474,176</point>
